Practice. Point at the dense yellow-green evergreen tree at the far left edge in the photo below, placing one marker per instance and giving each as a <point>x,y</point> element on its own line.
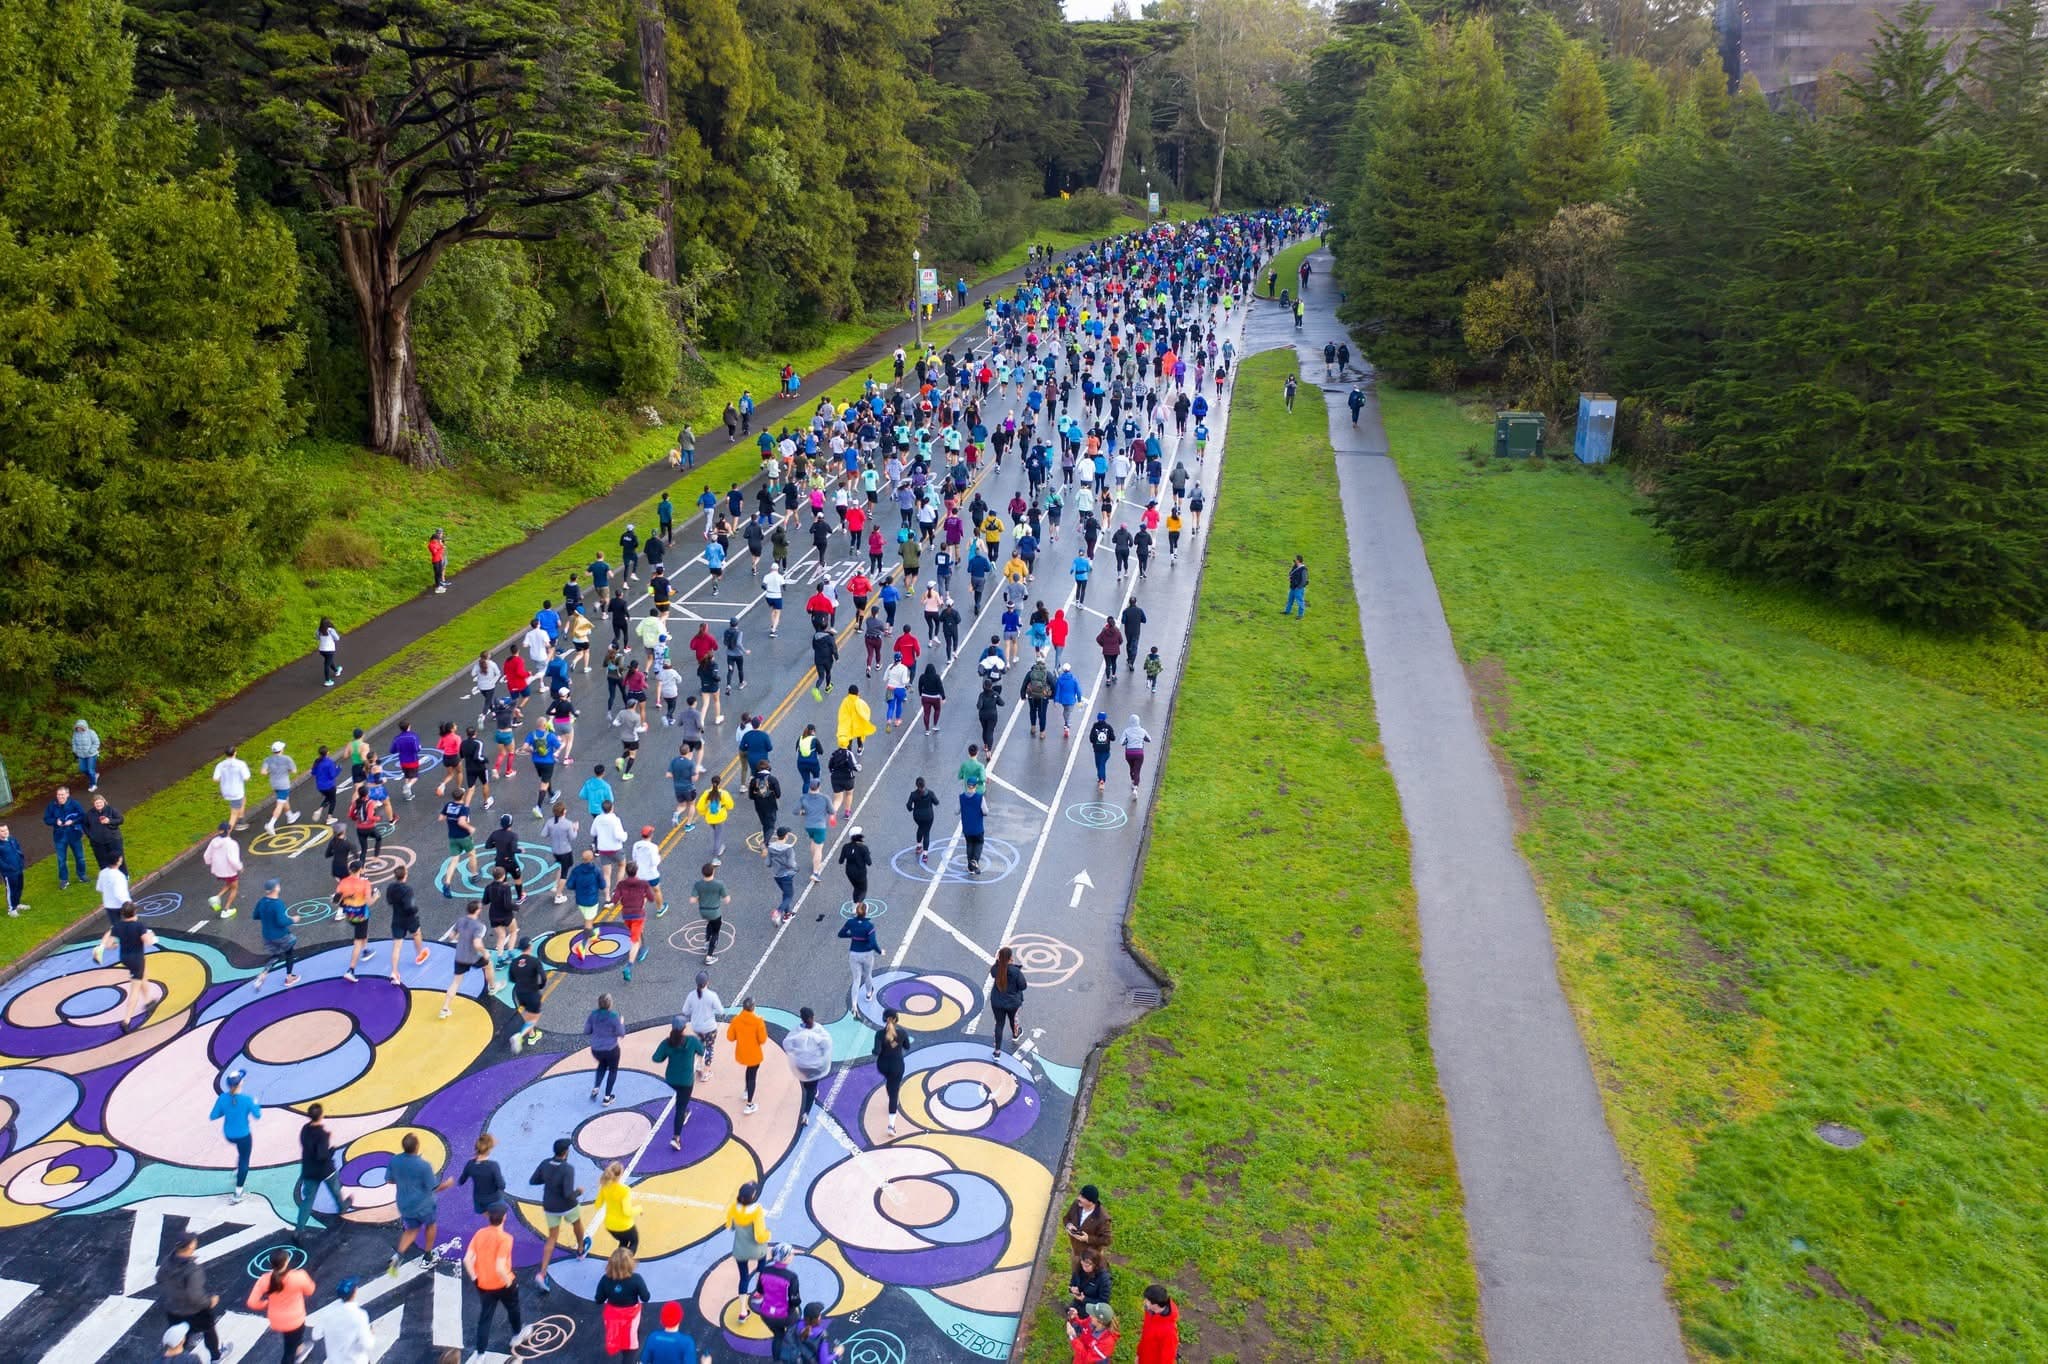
<point>144,355</point>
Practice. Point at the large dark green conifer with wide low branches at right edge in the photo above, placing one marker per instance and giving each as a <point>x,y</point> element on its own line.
<point>1875,415</point>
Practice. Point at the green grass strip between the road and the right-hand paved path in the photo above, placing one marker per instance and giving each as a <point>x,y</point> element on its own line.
<point>1273,1144</point>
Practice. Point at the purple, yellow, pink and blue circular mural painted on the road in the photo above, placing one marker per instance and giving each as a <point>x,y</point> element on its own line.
<point>935,1226</point>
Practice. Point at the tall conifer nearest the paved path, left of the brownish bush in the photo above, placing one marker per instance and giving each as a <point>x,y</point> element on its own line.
<point>1428,210</point>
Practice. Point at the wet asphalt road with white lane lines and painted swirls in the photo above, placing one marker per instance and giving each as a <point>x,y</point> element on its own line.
<point>921,1242</point>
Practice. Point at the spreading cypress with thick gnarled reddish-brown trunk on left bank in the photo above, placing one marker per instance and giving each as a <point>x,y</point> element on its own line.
<point>497,114</point>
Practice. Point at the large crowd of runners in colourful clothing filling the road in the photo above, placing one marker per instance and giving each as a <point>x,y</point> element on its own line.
<point>947,486</point>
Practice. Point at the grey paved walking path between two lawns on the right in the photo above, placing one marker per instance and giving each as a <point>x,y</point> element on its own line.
<point>1560,1238</point>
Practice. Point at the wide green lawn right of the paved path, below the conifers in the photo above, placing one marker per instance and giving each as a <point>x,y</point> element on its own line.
<point>1793,861</point>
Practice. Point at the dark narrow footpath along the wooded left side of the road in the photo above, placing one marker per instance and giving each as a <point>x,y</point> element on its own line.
<point>282,693</point>
